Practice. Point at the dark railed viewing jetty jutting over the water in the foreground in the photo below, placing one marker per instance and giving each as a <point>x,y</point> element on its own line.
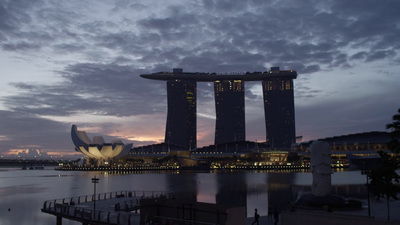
<point>140,207</point>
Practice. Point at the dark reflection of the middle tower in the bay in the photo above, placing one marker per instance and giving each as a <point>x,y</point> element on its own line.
<point>232,189</point>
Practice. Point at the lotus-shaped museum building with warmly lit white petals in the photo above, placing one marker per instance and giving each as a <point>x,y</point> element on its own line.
<point>97,149</point>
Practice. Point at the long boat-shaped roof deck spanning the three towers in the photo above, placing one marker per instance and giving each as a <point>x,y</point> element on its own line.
<point>210,77</point>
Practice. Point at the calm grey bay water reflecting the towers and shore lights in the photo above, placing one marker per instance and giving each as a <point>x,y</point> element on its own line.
<point>22,192</point>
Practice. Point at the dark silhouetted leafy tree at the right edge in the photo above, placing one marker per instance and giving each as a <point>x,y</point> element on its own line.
<point>383,179</point>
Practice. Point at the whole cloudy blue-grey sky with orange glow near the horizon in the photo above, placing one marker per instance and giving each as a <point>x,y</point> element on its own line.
<point>78,62</point>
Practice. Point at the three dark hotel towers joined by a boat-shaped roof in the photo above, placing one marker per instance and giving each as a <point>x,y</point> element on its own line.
<point>230,106</point>
